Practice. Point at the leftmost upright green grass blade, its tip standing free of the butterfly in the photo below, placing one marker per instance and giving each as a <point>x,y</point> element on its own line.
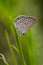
<point>11,49</point>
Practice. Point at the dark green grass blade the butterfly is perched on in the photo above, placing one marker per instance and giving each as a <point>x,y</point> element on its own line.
<point>15,35</point>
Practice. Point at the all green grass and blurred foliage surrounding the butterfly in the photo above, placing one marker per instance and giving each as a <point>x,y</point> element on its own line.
<point>15,49</point>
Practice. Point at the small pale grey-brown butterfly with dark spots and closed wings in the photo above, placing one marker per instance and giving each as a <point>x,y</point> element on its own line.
<point>23,23</point>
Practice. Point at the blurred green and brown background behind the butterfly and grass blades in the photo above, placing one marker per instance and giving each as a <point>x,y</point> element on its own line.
<point>9,10</point>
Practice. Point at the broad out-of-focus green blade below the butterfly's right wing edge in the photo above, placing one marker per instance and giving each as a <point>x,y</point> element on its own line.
<point>30,49</point>
